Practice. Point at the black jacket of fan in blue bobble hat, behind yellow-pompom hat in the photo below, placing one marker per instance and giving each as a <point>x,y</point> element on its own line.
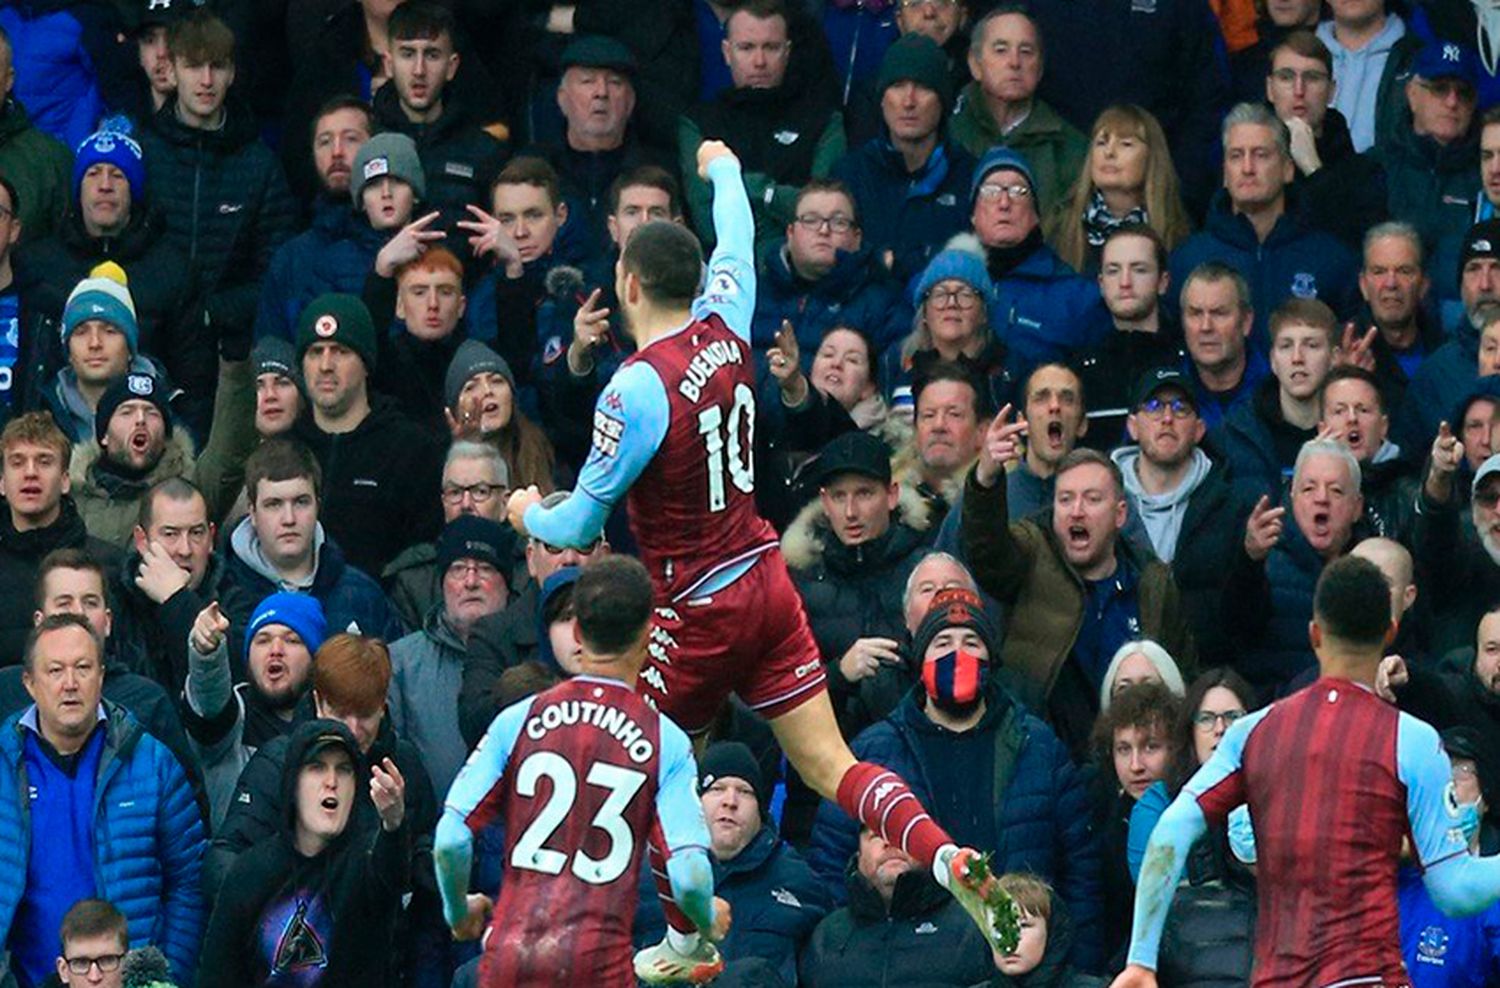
<point>161,287</point>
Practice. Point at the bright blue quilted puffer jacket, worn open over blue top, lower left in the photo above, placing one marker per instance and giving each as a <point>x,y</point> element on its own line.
<point>149,839</point>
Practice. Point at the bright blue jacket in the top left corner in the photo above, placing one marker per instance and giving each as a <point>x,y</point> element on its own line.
<point>58,49</point>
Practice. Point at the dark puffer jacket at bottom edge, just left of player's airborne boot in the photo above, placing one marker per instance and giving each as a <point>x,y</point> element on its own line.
<point>922,941</point>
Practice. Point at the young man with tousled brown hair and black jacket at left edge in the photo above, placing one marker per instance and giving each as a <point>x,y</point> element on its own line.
<point>40,518</point>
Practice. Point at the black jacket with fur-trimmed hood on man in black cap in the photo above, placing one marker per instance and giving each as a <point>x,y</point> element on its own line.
<point>856,593</point>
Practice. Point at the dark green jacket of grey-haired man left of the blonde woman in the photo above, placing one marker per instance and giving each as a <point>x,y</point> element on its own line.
<point>1054,148</point>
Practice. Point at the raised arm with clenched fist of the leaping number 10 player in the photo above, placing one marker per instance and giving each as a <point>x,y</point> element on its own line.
<point>730,289</point>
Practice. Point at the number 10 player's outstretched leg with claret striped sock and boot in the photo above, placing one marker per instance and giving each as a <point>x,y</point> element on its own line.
<point>883,801</point>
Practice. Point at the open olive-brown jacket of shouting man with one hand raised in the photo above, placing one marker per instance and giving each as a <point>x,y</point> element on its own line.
<point>1022,566</point>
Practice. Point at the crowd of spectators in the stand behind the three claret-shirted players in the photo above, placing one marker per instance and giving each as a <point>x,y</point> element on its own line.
<point>1087,335</point>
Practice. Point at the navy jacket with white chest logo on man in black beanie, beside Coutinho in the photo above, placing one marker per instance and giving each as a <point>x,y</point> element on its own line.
<point>776,902</point>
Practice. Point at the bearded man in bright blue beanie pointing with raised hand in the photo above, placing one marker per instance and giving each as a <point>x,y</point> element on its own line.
<point>226,722</point>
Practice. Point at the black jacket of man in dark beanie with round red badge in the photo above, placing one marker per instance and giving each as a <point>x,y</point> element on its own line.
<point>380,485</point>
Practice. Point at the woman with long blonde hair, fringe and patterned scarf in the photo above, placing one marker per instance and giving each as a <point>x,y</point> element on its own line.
<point>1127,179</point>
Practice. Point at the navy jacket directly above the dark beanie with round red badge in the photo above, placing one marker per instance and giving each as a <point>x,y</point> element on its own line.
<point>334,256</point>
